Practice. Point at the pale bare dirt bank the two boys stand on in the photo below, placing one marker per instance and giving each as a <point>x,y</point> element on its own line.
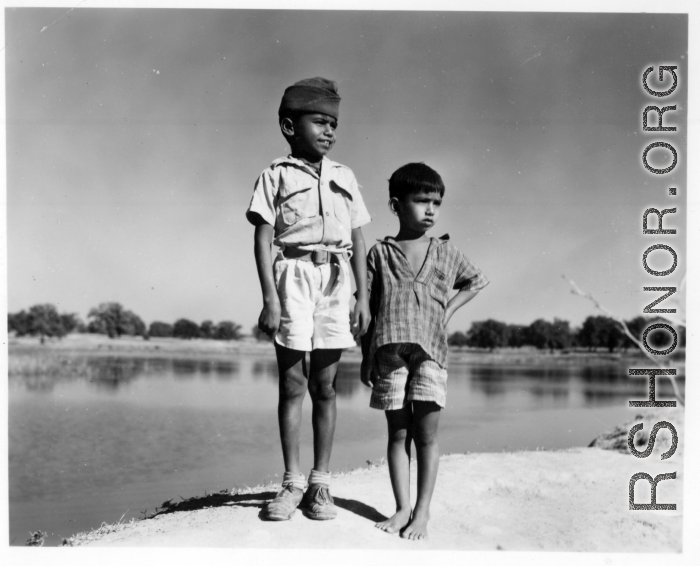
<point>572,500</point>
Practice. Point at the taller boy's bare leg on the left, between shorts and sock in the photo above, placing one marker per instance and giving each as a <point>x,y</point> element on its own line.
<point>292,388</point>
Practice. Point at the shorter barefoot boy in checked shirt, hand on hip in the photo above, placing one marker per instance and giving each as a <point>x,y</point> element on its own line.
<point>405,351</point>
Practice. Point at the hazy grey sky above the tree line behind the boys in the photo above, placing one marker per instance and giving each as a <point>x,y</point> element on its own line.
<point>134,138</point>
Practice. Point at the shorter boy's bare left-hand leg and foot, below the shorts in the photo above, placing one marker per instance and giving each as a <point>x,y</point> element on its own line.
<point>399,457</point>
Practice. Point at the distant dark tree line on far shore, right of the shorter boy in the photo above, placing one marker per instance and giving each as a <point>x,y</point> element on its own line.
<point>595,332</point>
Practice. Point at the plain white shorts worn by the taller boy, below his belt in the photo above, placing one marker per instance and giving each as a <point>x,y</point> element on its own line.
<point>315,301</point>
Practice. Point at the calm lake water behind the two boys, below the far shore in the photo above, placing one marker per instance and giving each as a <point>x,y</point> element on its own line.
<point>141,431</point>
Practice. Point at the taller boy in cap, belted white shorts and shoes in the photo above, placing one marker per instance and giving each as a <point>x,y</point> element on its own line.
<point>312,209</point>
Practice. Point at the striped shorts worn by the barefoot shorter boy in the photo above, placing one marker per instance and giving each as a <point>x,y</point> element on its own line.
<point>405,373</point>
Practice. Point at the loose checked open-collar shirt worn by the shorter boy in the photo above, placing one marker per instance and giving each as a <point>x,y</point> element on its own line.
<point>408,307</point>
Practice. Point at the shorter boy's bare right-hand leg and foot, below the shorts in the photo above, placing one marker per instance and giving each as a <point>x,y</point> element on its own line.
<point>426,416</point>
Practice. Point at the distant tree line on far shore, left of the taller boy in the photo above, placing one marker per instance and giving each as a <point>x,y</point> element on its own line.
<point>113,320</point>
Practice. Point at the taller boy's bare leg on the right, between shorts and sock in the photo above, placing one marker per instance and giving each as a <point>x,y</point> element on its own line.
<point>324,366</point>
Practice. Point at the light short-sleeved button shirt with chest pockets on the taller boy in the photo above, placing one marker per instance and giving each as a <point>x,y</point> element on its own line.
<point>309,211</point>
